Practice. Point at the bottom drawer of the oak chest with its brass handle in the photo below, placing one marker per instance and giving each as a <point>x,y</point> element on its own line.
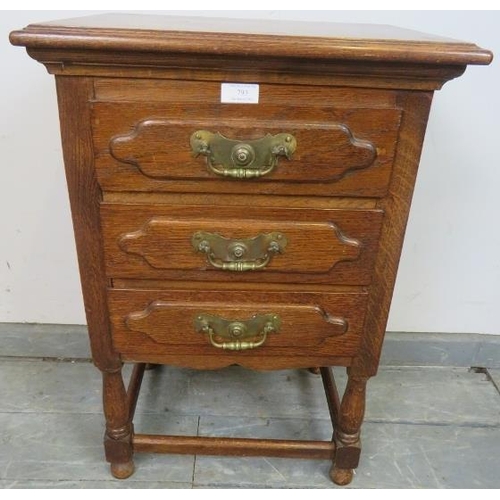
<point>220,328</point>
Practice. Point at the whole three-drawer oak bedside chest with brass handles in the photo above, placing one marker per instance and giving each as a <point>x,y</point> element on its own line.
<point>239,192</point>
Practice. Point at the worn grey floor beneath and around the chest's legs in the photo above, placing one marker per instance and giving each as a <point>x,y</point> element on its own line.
<point>425,427</point>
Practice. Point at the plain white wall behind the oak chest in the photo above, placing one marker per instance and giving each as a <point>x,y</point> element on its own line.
<point>450,271</point>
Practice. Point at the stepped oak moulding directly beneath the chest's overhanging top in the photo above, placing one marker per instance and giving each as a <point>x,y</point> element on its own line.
<point>376,75</point>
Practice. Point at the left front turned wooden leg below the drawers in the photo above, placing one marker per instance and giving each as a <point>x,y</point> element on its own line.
<point>118,436</point>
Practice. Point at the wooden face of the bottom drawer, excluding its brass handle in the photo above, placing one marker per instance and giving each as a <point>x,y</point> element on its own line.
<point>148,322</point>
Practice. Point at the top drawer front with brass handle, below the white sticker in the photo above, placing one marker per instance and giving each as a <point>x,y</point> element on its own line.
<point>229,149</point>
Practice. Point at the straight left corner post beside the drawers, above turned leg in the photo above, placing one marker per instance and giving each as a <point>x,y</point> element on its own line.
<point>74,95</point>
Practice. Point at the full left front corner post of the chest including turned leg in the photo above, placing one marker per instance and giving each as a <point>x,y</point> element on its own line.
<point>74,99</point>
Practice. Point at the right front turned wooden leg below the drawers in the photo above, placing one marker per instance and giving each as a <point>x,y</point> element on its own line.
<point>347,432</point>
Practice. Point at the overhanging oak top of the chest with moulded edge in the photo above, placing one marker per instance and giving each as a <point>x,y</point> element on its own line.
<point>209,36</point>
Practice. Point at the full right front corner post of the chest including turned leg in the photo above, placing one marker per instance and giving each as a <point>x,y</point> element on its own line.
<point>396,207</point>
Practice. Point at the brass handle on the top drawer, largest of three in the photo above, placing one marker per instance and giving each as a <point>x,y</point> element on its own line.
<point>242,159</point>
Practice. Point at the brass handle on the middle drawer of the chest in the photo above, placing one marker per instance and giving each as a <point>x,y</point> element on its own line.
<point>249,254</point>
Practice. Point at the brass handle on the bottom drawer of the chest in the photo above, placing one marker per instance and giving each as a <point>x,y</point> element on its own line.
<point>236,335</point>
